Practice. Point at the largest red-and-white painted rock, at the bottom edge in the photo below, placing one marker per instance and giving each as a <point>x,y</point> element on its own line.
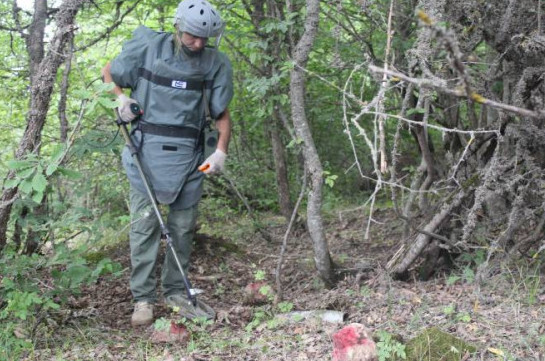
<point>354,343</point>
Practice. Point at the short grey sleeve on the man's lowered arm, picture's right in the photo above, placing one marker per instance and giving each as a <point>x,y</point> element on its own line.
<point>222,90</point>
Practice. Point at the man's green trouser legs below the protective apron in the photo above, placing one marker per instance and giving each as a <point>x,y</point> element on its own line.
<point>145,234</point>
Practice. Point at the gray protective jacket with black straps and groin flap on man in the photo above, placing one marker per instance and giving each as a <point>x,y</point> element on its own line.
<point>169,85</point>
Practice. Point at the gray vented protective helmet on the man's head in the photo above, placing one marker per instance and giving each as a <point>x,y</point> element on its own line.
<point>199,18</point>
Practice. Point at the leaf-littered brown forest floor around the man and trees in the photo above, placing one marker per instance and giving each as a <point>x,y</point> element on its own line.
<point>502,317</point>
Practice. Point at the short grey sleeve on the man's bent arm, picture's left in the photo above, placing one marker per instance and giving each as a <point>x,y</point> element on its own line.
<point>124,68</point>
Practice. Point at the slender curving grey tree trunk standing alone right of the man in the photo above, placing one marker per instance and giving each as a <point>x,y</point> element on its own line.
<point>312,160</point>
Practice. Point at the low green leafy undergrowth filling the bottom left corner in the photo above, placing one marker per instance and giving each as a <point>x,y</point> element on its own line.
<point>33,287</point>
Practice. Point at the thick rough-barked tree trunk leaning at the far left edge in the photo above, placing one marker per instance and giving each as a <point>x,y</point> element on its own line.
<point>42,82</point>
